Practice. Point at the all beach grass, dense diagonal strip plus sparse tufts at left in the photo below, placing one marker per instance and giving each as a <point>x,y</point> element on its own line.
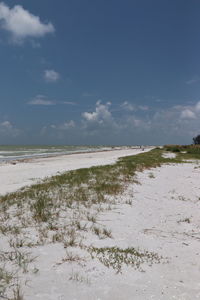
<point>65,207</point>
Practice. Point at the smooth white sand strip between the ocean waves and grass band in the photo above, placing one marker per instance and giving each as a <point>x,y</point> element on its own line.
<point>13,177</point>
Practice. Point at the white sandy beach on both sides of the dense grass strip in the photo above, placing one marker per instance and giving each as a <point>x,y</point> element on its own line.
<point>156,217</point>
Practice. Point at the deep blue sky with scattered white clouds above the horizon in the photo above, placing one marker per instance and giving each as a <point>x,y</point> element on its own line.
<point>111,72</point>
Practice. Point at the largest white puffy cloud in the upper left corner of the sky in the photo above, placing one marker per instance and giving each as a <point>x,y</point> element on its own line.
<point>22,24</point>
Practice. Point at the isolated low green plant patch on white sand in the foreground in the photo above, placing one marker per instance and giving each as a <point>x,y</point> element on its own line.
<point>114,257</point>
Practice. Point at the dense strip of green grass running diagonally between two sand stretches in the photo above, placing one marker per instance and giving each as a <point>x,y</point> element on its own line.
<point>83,187</point>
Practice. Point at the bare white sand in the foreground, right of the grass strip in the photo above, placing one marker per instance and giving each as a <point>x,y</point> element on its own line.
<point>156,221</point>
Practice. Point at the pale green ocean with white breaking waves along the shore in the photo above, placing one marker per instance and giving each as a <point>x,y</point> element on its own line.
<point>21,152</point>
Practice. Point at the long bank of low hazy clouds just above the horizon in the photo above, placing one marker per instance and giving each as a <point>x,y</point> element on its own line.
<point>175,124</point>
